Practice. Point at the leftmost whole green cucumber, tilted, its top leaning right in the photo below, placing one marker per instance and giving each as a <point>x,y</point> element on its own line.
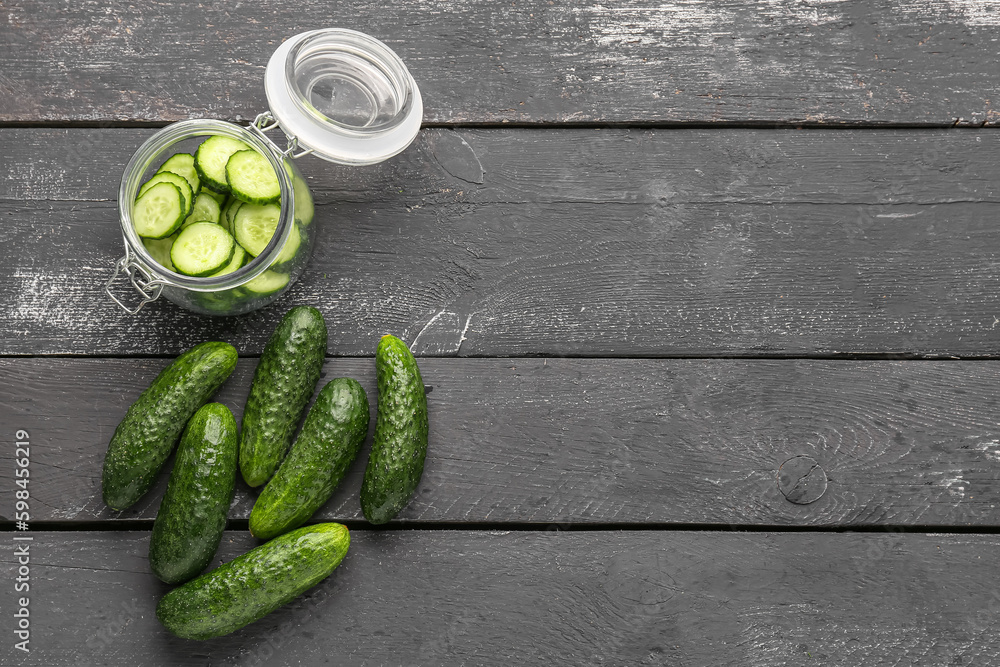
<point>150,429</point>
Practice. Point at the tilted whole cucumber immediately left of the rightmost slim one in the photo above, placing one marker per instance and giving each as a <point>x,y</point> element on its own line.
<point>331,436</point>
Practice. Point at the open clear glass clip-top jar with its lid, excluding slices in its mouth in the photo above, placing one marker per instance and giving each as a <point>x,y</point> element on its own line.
<point>338,94</point>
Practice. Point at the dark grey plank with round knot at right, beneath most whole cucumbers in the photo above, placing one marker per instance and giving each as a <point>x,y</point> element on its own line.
<point>592,441</point>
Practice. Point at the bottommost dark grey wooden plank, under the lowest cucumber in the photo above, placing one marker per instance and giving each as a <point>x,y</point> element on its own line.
<point>560,598</point>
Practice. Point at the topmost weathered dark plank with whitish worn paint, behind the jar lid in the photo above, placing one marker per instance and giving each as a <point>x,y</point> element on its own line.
<point>704,61</point>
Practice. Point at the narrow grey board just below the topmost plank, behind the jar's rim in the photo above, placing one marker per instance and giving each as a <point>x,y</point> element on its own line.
<point>567,165</point>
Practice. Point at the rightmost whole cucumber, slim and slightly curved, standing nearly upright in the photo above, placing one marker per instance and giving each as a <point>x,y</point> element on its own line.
<point>400,443</point>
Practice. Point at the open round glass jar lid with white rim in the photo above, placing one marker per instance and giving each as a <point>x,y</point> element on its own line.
<point>344,95</point>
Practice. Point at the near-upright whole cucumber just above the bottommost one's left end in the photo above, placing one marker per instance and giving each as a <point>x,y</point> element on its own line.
<point>192,515</point>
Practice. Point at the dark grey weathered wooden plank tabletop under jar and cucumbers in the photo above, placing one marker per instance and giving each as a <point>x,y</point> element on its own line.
<point>646,255</point>
